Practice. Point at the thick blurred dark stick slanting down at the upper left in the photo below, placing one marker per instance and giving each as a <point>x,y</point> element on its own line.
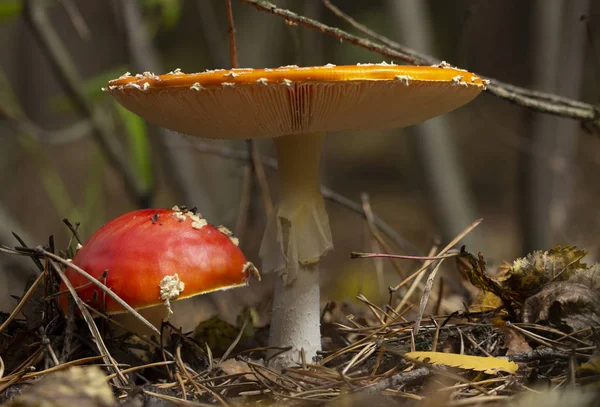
<point>66,72</point>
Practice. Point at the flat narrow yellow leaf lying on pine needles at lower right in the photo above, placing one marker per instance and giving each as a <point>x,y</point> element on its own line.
<point>486,364</point>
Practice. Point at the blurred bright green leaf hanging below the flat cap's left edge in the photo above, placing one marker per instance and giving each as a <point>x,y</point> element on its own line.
<point>139,144</point>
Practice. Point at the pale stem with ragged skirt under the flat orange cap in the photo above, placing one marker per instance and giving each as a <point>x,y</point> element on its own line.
<point>297,236</point>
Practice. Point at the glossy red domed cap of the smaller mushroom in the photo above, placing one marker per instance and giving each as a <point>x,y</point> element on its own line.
<point>151,252</point>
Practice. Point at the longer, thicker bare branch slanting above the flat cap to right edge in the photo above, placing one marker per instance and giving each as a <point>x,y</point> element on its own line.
<point>540,101</point>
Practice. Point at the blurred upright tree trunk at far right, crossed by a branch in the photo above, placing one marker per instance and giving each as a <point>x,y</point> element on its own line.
<point>558,49</point>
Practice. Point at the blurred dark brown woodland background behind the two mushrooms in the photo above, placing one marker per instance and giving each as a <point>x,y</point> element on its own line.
<point>67,150</point>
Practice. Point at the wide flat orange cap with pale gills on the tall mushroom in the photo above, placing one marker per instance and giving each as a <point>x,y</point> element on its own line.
<point>254,103</point>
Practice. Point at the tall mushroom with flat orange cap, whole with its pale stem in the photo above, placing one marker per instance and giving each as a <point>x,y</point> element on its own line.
<point>297,106</point>
